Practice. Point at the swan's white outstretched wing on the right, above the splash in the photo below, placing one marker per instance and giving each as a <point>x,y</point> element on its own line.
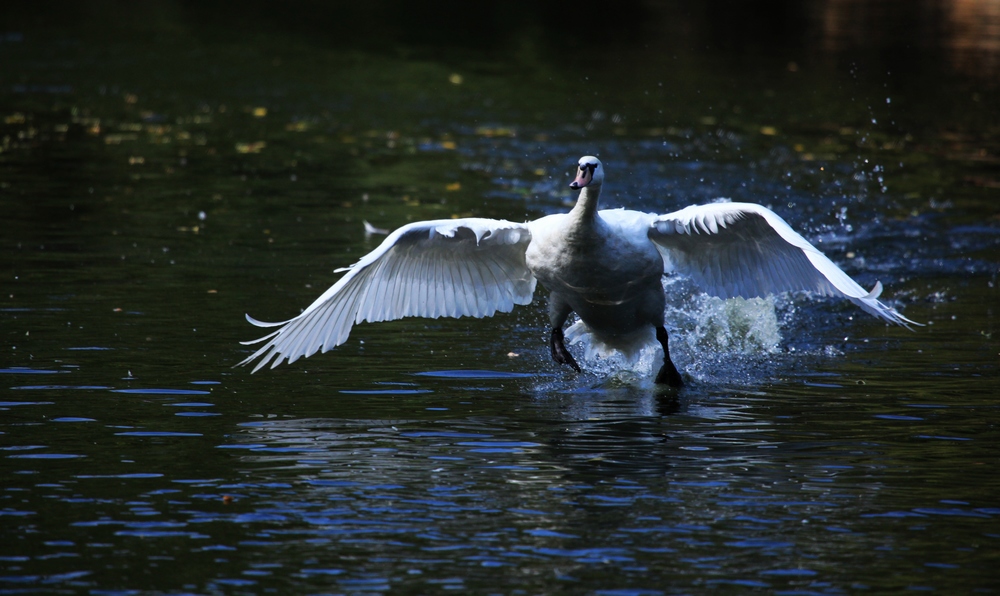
<point>742,249</point>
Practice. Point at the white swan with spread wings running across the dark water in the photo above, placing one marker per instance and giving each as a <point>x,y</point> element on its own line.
<point>606,266</point>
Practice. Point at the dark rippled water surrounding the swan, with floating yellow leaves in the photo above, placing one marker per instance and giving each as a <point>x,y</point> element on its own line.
<point>167,168</point>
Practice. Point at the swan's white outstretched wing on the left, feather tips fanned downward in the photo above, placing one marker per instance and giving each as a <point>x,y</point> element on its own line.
<point>444,268</point>
